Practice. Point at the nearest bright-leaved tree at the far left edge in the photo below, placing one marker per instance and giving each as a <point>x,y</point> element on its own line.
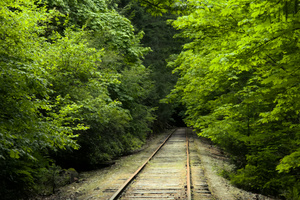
<point>27,132</point>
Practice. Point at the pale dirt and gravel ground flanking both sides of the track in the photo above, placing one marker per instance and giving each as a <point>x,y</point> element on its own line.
<point>97,184</point>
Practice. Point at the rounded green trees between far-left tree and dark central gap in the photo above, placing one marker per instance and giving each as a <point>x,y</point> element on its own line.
<point>108,82</point>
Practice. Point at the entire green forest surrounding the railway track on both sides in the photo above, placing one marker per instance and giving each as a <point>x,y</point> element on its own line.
<point>83,82</point>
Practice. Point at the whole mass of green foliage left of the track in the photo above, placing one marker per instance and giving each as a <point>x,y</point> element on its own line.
<point>57,84</point>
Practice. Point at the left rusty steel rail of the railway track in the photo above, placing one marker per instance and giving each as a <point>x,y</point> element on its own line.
<point>123,187</point>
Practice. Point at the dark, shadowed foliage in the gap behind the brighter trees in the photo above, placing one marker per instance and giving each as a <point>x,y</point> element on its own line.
<point>158,36</point>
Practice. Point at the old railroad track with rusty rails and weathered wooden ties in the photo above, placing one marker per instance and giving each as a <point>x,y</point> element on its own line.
<point>171,172</point>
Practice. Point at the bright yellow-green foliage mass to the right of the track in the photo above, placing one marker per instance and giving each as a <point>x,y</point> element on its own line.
<point>238,80</point>
